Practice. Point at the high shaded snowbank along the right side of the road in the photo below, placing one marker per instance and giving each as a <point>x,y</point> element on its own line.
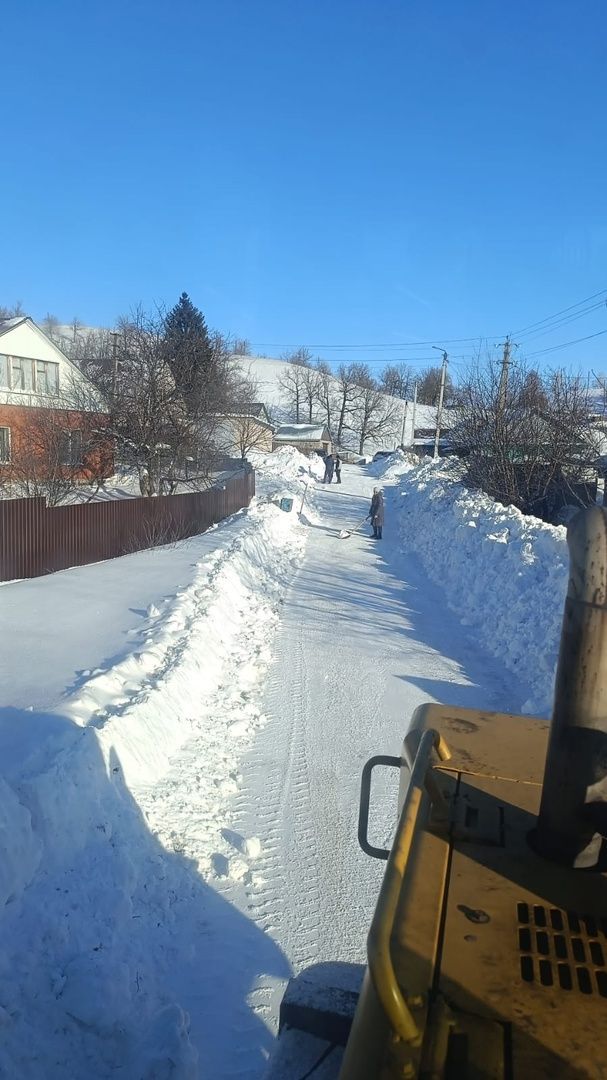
<point>503,573</point>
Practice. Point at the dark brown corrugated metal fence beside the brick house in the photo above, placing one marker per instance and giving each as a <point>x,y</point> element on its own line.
<point>36,539</point>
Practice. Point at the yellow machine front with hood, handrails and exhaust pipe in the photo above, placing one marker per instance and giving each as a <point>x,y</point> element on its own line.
<point>488,952</point>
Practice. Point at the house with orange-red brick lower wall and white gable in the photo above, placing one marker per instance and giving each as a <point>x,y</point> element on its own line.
<point>51,416</point>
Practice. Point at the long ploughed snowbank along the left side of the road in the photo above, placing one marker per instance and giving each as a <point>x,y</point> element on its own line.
<point>107,919</point>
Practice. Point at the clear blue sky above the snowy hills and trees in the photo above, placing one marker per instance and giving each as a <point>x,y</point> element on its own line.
<point>323,173</point>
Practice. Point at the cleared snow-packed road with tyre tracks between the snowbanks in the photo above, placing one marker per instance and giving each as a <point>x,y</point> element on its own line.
<point>363,640</point>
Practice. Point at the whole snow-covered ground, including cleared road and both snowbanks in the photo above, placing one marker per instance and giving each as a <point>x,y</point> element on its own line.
<point>182,744</point>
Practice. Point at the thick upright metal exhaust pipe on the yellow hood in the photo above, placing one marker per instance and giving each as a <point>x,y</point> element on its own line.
<point>573,818</point>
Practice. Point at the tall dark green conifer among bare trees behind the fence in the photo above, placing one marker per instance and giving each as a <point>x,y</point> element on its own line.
<point>190,349</point>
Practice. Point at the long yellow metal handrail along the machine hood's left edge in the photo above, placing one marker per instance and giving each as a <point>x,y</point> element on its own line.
<point>381,965</point>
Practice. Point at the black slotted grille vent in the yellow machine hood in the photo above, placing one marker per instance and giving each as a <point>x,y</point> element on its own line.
<point>563,949</point>
